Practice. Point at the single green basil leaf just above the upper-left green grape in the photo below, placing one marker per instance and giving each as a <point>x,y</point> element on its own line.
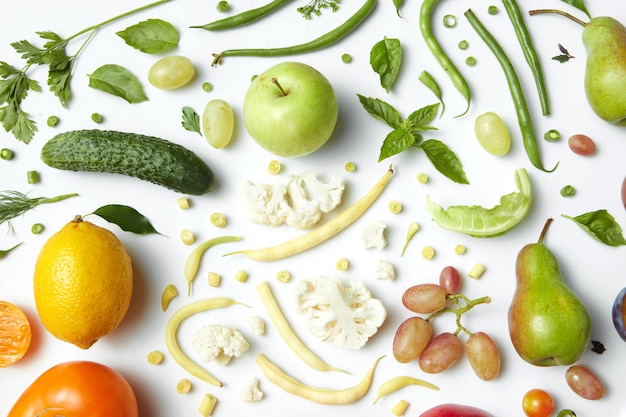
<point>151,36</point>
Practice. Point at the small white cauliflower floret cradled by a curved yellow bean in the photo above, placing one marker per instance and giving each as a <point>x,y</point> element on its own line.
<point>218,343</point>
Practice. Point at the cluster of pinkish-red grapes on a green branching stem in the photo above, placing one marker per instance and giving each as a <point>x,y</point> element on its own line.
<point>414,338</point>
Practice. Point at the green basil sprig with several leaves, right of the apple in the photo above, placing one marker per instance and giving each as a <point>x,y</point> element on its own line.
<point>407,133</point>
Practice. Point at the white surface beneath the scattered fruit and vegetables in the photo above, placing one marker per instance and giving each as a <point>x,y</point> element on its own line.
<point>593,270</point>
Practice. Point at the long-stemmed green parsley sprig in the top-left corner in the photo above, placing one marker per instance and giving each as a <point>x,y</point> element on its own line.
<point>15,84</point>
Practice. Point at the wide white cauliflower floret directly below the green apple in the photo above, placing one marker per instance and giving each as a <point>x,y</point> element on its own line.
<point>298,200</point>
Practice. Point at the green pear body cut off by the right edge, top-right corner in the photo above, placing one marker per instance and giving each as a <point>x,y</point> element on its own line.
<point>605,74</point>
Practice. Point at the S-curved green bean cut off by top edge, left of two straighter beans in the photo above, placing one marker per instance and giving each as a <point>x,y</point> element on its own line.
<point>458,80</point>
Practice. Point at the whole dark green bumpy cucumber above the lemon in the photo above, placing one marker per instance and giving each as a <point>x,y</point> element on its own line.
<point>145,157</point>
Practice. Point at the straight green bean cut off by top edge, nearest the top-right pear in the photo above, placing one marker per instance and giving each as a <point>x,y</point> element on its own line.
<point>521,31</point>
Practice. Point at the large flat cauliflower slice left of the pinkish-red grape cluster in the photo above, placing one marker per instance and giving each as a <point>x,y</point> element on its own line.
<point>346,316</point>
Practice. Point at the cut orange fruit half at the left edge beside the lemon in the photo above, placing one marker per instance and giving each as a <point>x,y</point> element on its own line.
<point>15,334</point>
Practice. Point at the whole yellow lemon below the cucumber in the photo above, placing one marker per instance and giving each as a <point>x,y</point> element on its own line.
<point>83,283</point>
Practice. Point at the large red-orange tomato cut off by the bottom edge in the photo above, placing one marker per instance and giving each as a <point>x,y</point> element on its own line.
<point>79,388</point>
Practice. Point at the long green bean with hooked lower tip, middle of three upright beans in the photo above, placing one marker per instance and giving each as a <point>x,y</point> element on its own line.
<point>517,93</point>
